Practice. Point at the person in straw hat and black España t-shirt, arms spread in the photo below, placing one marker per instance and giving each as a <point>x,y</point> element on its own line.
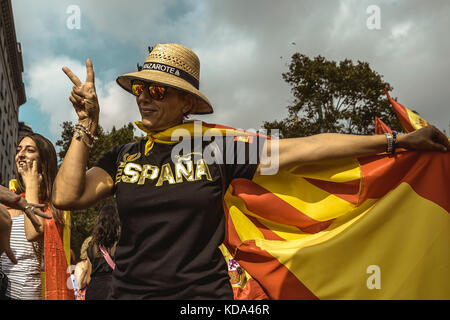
<point>170,205</point>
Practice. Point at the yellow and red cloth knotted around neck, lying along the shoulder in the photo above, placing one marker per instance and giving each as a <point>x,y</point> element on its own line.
<point>194,128</point>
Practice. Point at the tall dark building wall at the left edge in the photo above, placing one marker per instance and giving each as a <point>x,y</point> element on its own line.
<point>12,91</point>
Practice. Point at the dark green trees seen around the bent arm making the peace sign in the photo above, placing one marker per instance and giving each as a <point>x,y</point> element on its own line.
<point>83,221</point>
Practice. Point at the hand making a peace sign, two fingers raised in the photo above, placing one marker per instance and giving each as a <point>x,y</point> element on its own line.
<point>84,97</point>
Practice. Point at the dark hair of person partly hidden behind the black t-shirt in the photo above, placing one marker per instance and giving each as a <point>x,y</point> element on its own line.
<point>107,228</point>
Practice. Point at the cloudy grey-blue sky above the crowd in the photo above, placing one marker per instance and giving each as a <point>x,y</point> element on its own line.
<point>243,46</point>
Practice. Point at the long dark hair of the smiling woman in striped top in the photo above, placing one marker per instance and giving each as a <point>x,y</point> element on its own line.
<point>48,168</point>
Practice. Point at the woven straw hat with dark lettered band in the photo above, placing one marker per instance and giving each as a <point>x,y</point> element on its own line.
<point>175,66</point>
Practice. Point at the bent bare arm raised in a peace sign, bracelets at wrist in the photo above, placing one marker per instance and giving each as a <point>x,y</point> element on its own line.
<point>74,188</point>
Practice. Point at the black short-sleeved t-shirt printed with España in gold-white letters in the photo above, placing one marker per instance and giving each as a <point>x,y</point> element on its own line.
<point>172,215</point>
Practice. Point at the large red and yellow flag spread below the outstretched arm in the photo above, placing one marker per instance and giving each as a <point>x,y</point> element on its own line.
<point>374,227</point>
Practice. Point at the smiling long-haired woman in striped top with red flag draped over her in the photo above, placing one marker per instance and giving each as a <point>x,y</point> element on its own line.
<point>36,168</point>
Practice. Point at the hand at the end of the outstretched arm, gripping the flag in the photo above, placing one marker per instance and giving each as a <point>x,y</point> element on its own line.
<point>426,139</point>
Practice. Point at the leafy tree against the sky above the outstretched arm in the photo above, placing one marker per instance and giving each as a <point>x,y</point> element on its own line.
<point>334,97</point>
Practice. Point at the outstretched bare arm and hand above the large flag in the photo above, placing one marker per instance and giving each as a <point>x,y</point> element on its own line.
<point>328,146</point>
